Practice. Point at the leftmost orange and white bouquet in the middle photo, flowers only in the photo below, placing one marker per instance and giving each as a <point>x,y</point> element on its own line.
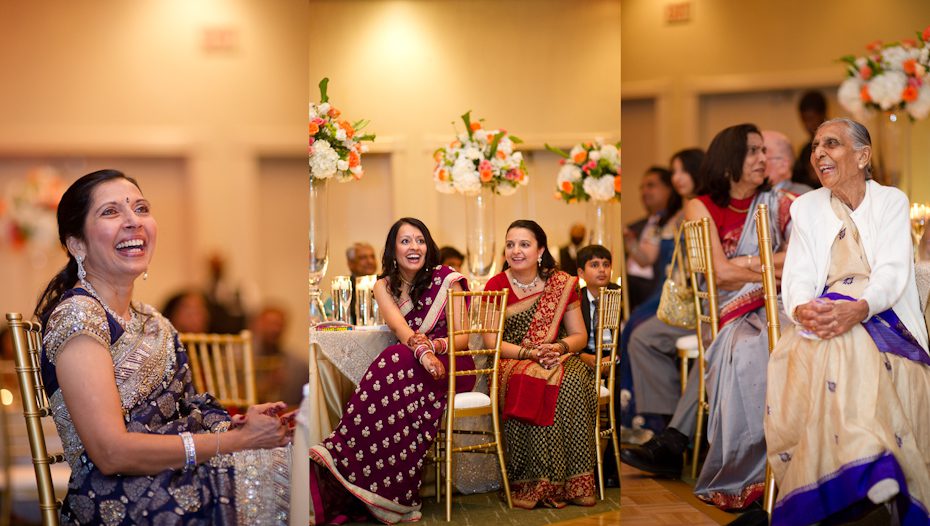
<point>336,146</point>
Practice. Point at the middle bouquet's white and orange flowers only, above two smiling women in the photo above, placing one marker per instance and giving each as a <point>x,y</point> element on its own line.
<point>480,158</point>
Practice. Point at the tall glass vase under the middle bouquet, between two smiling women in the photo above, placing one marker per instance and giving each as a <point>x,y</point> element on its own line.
<point>479,237</point>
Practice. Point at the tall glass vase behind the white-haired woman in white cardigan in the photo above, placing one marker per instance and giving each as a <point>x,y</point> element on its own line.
<point>893,165</point>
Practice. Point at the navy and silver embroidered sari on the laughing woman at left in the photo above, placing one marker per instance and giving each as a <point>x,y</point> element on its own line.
<point>157,396</point>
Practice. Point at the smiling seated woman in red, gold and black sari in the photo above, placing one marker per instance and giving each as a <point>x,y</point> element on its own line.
<point>547,394</point>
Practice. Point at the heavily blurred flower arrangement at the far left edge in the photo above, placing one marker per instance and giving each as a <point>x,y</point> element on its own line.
<point>27,210</point>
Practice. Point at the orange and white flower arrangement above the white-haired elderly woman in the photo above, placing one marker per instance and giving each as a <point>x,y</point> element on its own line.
<point>890,77</point>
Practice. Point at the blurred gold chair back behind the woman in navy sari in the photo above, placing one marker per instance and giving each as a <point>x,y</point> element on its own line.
<point>223,365</point>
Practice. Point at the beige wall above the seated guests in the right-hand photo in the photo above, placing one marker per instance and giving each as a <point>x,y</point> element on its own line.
<point>738,61</point>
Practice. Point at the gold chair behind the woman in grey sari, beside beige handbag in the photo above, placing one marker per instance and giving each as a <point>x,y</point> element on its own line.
<point>701,265</point>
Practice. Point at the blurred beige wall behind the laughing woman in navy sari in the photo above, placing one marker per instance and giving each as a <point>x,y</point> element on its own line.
<point>209,130</point>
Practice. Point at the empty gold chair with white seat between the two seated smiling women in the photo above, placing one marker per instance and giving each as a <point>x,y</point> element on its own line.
<point>483,315</point>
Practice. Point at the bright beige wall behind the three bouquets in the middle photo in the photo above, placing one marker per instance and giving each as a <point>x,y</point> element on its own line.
<point>547,71</point>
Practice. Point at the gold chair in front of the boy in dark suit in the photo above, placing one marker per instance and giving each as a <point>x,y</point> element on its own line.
<point>610,306</point>
